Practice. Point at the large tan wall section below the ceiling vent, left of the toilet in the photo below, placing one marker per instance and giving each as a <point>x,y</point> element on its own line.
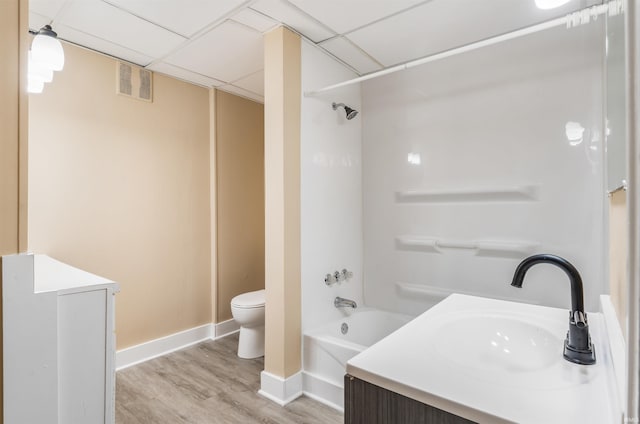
<point>120,187</point>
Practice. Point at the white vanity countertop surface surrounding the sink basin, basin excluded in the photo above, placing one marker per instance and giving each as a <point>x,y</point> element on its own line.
<point>411,362</point>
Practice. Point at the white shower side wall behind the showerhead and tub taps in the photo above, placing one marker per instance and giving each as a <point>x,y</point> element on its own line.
<point>331,190</point>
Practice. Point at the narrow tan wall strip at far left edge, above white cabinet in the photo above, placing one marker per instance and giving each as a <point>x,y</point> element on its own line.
<point>13,137</point>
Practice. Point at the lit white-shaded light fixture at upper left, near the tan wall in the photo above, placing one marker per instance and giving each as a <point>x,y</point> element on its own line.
<point>46,55</point>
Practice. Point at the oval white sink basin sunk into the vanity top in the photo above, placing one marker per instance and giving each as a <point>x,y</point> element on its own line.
<point>496,343</point>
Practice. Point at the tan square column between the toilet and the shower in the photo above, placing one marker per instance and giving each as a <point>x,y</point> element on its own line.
<point>282,203</point>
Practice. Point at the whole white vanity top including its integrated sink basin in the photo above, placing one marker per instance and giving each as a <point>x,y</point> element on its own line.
<point>492,361</point>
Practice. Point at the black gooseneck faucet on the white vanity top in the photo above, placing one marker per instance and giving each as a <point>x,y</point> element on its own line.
<point>577,346</point>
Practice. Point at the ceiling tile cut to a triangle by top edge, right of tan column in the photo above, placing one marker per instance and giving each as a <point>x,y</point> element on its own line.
<point>344,16</point>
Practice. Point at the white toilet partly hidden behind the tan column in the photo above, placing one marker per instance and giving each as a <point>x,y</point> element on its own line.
<point>248,311</point>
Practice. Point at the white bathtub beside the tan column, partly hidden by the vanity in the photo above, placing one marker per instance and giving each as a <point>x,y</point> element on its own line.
<point>327,350</point>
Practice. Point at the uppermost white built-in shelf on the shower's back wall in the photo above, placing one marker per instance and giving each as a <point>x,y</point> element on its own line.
<point>471,194</point>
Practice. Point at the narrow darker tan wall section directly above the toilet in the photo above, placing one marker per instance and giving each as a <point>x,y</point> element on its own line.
<point>239,139</point>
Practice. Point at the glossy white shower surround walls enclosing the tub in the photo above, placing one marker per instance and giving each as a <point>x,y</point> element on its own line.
<point>451,174</point>
